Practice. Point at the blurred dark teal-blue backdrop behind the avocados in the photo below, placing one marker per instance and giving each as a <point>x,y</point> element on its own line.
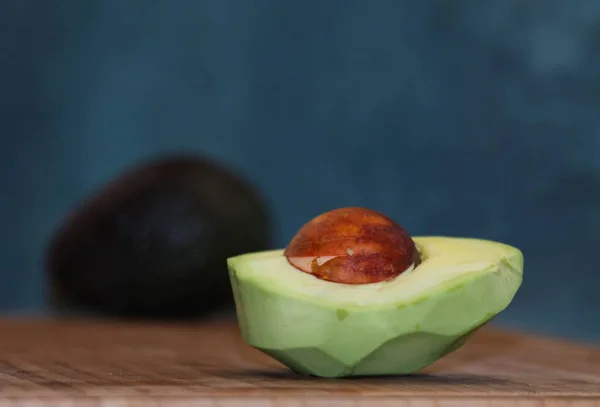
<point>467,117</point>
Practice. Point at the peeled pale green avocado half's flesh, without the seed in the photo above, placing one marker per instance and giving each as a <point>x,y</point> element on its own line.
<point>394,327</point>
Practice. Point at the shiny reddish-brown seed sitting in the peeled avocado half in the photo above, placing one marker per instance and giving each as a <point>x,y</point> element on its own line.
<point>352,246</point>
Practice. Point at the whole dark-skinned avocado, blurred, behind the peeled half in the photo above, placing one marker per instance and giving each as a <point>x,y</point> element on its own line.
<point>154,242</point>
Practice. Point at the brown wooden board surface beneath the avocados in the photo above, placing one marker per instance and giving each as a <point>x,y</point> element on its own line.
<point>47,363</point>
